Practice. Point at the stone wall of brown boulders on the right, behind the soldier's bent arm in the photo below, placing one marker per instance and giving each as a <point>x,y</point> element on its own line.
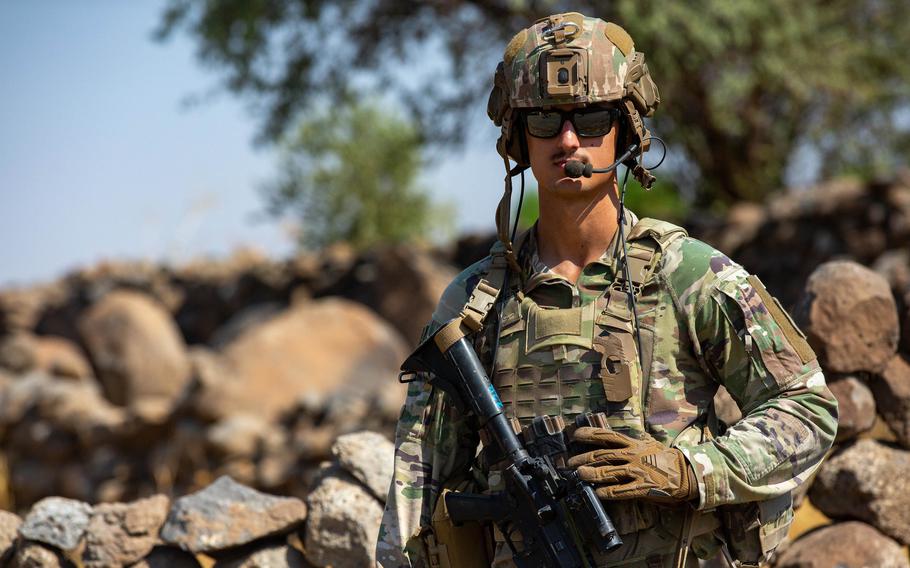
<point>837,255</point>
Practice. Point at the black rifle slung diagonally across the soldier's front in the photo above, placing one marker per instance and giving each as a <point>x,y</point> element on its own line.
<point>558,516</point>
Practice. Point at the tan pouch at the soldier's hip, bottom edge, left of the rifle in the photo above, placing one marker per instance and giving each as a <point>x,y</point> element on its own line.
<point>451,546</point>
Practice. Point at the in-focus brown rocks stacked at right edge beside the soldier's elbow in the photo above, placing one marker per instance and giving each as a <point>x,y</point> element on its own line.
<point>850,317</point>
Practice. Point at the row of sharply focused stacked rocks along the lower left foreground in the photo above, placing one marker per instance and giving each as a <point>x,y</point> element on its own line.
<point>224,525</point>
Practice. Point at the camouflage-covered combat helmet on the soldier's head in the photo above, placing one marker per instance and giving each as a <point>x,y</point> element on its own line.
<point>570,59</point>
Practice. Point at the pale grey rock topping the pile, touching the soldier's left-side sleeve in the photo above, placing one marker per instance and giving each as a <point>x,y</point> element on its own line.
<point>368,456</point>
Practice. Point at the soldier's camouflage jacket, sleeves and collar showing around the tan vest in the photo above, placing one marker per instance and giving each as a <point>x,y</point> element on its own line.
<point>707,323</point>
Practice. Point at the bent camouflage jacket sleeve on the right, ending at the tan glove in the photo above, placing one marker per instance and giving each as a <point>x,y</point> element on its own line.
<point>751,346</point>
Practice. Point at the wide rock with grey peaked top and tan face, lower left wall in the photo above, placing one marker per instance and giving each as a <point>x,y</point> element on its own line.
<point>226,514</point>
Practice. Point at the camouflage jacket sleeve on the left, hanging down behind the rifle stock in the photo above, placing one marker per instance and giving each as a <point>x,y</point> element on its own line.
<point>433,445</point>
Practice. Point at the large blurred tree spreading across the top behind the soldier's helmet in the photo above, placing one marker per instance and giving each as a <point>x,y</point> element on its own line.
<point>744,84</point>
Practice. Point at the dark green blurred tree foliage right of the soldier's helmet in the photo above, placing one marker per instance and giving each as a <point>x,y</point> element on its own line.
<point>744,84</point>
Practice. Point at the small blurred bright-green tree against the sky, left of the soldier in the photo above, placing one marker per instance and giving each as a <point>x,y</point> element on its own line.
<point>350,174</point>
